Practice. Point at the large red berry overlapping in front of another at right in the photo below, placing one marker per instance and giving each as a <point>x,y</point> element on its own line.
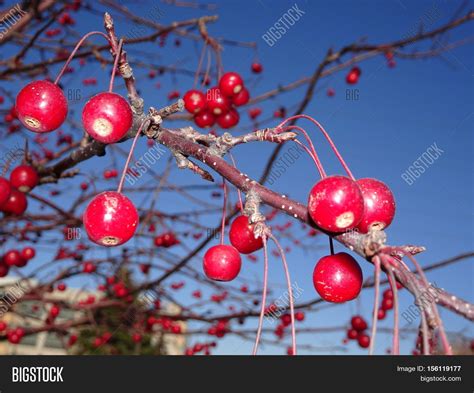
<point>336,204</point>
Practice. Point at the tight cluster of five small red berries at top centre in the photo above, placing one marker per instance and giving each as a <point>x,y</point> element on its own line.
<point>219,102</point>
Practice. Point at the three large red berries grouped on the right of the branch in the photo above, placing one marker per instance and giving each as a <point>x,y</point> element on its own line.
<point>337,204</point>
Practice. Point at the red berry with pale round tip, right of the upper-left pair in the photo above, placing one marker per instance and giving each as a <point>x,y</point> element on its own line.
<point>107,117</point>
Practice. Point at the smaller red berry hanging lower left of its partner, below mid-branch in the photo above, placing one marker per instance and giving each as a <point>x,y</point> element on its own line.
<point>222,263</point>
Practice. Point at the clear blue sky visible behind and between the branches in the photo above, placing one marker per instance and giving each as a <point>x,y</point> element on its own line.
<point>399,114</point>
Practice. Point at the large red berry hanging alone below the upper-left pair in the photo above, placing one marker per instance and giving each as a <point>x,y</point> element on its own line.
<point>110,219</point>
